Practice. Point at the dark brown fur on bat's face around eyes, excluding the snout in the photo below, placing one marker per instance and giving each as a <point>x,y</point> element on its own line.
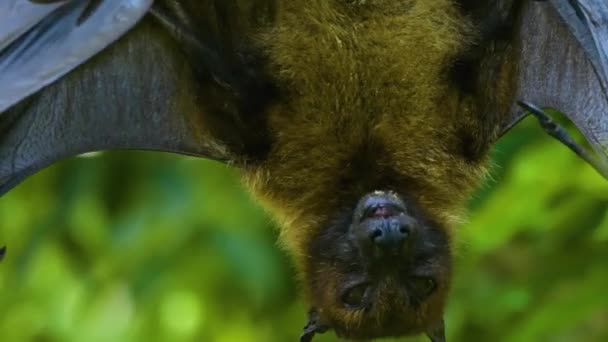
<point>399,293</point>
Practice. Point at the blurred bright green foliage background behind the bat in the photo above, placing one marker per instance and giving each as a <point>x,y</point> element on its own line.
<point>134,246</point>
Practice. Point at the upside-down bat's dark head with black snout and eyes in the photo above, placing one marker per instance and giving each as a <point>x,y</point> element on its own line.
<point>383,270</point>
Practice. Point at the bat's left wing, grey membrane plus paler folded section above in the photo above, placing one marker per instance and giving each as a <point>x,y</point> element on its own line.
<point>145,91</point>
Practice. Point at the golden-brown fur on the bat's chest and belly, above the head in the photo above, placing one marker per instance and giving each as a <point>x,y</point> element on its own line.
<point>356,81</point>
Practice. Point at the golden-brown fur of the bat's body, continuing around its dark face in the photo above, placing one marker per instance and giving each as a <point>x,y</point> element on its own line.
<point>370,106</point>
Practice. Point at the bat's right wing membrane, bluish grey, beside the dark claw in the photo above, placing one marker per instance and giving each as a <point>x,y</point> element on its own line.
<point>564,63</point>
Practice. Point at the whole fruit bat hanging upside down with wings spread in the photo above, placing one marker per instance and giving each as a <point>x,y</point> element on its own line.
<point>362,125</point>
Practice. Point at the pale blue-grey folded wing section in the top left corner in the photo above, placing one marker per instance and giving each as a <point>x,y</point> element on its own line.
<point>42,41</point>
